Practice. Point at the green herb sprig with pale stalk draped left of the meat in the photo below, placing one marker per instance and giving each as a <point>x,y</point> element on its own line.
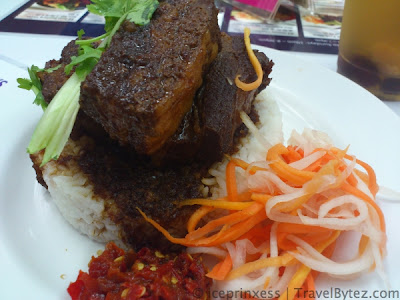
<point>55,126</point>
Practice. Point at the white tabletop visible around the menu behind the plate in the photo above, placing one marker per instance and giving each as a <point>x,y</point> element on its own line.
<point>22,50</point>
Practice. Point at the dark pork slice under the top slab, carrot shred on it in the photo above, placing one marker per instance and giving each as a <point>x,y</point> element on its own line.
<point>213,124</point>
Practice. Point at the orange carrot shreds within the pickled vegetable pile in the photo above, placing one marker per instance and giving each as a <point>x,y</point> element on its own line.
<point>273,244</point>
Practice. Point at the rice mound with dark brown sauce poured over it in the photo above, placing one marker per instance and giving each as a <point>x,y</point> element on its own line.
<point>97,186</point>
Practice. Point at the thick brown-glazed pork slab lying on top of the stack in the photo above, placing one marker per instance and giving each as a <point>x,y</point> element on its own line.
<point>146,80</point>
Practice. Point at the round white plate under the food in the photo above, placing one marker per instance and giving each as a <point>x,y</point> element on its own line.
<point>37,246</point>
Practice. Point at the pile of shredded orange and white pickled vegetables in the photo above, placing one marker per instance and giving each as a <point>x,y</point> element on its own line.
<point>282,217</point>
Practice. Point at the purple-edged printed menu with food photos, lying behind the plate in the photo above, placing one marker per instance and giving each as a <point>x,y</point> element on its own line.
<point>294,27</point>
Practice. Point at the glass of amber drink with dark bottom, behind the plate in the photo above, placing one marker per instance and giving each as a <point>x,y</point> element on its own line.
<point>369,48</point>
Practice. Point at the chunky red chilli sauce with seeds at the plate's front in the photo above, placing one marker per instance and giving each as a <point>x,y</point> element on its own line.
<point>147,274</point>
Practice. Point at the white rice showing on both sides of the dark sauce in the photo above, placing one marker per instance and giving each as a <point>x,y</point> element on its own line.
<point>74,194</point>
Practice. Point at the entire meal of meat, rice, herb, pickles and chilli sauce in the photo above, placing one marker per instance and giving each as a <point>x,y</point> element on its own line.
<point>211,174</point>
